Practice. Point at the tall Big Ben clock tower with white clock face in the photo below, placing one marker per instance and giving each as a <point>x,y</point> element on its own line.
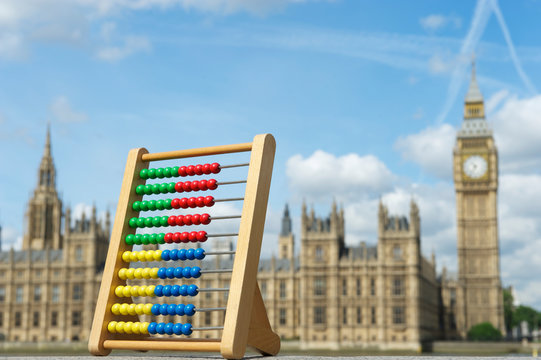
<point>475,167</point>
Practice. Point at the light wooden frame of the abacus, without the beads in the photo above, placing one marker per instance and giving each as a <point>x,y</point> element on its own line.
<point>246,322</point>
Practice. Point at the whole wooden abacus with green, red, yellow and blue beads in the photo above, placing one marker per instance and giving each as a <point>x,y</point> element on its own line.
<point>116,323</point>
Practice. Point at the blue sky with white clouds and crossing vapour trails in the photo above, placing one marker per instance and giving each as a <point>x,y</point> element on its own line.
<point>364,99</point>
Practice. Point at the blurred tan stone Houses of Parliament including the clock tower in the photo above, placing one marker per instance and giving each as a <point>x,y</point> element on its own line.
<point>386,295</point>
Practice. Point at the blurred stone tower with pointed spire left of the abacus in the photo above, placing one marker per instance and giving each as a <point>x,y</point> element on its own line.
<point>44,212</point>
